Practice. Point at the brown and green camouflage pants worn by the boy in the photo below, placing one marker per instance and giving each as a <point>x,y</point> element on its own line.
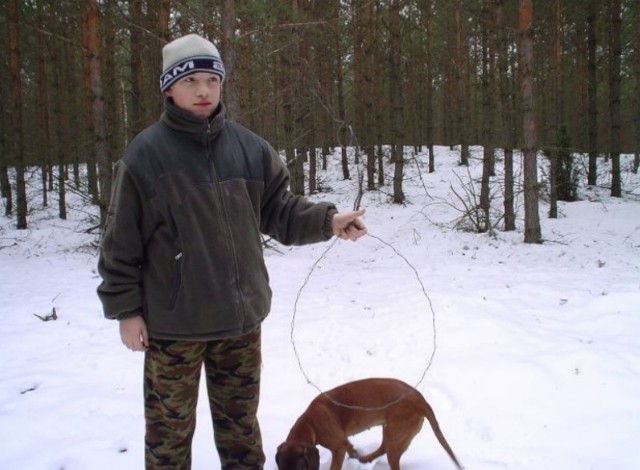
<point>171,381</point>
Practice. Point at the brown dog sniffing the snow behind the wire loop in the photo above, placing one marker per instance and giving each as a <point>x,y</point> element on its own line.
<point>351,408</point>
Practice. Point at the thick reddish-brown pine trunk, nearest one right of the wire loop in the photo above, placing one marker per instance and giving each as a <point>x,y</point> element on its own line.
<point>532,232</point>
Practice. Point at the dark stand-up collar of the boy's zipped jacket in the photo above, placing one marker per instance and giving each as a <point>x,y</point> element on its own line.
<point>197,128</point>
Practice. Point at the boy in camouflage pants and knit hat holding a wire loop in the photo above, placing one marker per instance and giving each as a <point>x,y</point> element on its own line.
<point>181,259</point>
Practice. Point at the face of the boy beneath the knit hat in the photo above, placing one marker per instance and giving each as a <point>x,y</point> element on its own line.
<point>198,93</point>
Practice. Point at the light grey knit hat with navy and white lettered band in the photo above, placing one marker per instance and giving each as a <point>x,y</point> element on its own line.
<point>187,55</point>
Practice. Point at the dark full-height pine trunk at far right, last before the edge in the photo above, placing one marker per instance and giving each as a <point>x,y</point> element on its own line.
<point>615,55</point>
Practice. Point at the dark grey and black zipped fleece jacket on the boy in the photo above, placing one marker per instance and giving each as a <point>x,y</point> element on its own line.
<point>182,244</point>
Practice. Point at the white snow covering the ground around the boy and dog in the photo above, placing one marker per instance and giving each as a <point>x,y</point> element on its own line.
<point>529,354</point>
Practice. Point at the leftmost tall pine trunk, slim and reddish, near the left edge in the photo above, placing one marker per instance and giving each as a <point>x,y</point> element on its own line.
<point>15,107</point>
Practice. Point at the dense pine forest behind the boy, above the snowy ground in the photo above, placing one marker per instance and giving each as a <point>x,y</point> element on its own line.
<point>545,79</point>
